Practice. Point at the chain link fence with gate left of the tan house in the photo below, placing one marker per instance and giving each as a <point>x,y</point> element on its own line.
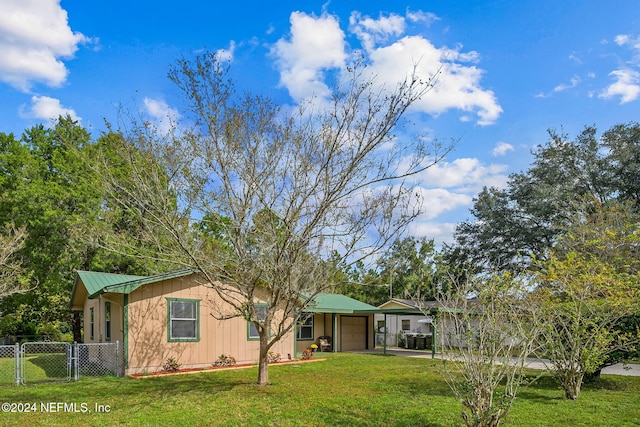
<point>45,362</point>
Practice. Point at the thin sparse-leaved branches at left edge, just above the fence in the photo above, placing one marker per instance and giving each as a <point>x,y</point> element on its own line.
<point>11,269</point>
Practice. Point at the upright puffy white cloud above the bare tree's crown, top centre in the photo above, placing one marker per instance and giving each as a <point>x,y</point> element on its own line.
<point>316,44</point>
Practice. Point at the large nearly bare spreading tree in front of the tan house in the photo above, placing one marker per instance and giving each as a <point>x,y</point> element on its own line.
<point>257,196</point>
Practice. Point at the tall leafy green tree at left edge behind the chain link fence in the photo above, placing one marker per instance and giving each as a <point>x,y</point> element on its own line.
<point>38,195</point>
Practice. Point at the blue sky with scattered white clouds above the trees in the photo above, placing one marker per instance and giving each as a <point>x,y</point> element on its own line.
<point>511,69</point>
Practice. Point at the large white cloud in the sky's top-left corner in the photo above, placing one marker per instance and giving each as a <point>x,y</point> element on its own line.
<point>34,37</point>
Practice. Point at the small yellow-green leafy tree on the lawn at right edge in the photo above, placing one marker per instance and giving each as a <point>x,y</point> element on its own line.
<point>589,285</point>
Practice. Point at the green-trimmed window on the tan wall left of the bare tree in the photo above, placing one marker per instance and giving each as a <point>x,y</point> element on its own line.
<point>183,319</point>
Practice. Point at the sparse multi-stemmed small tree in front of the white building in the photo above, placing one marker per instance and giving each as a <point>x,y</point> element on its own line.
<point>486,334</point>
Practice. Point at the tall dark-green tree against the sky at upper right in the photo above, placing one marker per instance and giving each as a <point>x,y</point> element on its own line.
<point>525,219</point>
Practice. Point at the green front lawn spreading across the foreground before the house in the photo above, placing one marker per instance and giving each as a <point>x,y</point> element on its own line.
<point>344,390</point>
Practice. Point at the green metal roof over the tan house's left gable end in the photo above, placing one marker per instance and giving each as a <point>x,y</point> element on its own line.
<point>101,283</point>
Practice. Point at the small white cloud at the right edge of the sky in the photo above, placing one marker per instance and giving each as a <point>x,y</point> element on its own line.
<point>626,83</point>
